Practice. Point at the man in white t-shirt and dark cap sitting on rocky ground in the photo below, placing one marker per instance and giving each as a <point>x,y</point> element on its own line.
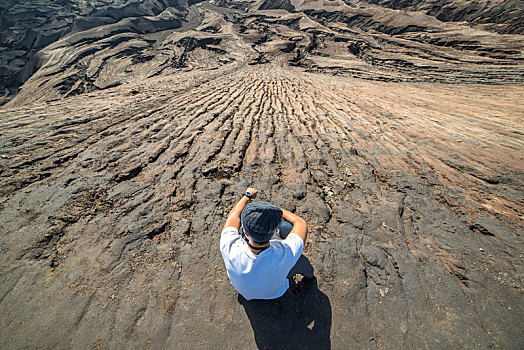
<point>261,245</point>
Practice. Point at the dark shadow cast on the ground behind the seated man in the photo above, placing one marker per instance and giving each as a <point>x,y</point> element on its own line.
<point>297,320</point>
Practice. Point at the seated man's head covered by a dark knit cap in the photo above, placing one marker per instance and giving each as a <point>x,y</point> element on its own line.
<point>260,220</point>
